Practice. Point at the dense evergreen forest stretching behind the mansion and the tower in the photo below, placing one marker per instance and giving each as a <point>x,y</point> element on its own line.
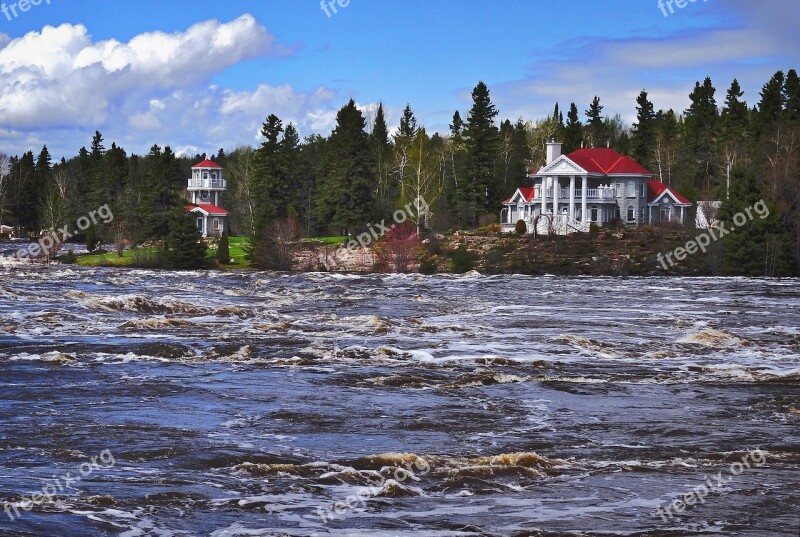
<point>731,148</point>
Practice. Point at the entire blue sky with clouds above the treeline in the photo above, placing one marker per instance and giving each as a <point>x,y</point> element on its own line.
<point>199,75</point>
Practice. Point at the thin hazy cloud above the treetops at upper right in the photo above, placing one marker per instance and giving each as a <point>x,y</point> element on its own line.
<point>753,41</point>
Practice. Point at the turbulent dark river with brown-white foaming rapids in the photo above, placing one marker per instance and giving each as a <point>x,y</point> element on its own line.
<point>249,404</point>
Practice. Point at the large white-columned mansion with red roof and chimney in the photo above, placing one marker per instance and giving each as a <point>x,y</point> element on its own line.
<point>591,186</point>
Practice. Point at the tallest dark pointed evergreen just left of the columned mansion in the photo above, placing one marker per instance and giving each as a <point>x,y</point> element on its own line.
<point>480,192</point>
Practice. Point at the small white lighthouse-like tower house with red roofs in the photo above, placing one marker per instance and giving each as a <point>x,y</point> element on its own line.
<point>204,191</point>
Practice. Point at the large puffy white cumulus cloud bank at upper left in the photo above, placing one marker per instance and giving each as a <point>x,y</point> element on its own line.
<point>154,87</point>
